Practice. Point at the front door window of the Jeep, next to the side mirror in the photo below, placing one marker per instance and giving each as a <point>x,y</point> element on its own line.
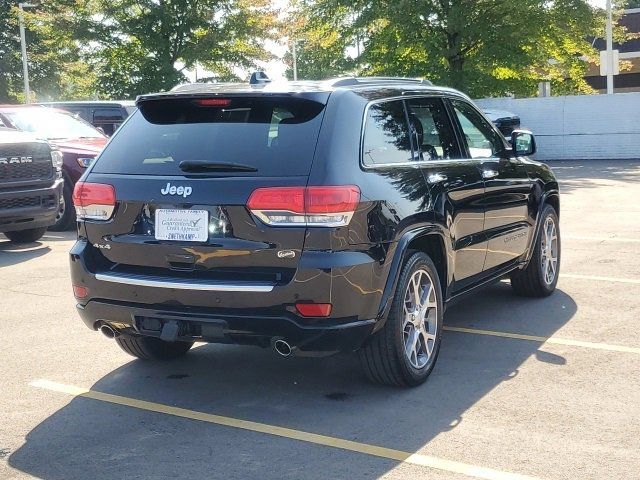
<point>481,138</point>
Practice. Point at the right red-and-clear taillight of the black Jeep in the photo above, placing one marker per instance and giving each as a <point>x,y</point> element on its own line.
<point>305,206</point>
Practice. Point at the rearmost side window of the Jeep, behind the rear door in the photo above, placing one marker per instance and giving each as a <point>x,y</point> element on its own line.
<point>386,135</point>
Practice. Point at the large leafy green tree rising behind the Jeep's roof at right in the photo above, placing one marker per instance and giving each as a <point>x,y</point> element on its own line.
<point>484,47</point>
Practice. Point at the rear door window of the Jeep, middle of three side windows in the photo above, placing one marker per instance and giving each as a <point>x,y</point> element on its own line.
<point>432,129</point>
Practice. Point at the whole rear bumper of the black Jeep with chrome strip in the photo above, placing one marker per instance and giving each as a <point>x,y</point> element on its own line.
<point>250,312</point>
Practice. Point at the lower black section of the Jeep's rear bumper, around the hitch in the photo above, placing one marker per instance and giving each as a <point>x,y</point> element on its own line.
<point>201,325</point>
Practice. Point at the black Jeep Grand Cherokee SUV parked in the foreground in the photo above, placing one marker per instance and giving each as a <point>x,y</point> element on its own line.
<point>309,217</point>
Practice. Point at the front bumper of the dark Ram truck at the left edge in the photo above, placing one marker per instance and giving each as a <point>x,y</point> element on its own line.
<point>29,208</point>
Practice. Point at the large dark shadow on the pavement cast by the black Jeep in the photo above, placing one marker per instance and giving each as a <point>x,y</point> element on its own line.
<point>91,439</point>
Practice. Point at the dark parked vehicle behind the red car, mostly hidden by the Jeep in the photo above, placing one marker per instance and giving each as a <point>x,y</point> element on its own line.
<point>106,116</point>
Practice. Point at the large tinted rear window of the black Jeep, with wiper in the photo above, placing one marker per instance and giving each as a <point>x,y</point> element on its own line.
<point>277,136</point>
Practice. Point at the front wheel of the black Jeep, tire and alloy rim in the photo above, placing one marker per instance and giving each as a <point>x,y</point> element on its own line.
<point>535,280</point>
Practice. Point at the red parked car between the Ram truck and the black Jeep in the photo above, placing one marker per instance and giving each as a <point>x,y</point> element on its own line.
<point>78,141</point>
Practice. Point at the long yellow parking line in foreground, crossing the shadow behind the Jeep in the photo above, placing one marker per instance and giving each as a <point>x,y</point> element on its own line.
<point>314,438</point>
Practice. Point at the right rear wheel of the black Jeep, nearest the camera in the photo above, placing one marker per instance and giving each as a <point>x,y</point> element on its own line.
<point>384,358</point>
